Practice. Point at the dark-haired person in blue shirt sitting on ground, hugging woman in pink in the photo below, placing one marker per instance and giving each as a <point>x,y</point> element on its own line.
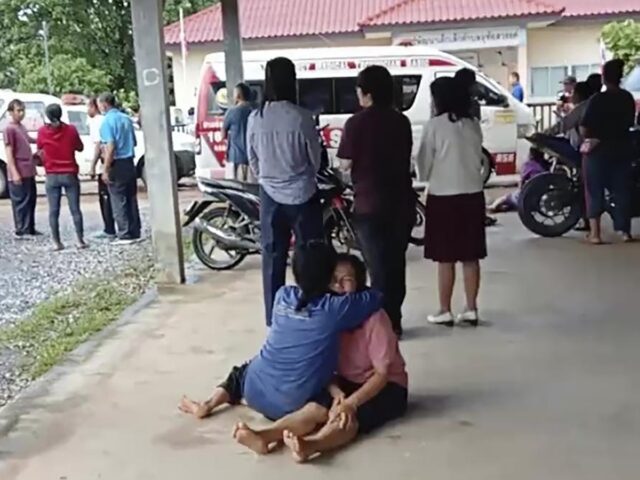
<point>300,355</point>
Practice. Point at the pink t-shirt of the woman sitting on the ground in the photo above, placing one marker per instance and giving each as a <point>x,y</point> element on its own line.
<point>374,345</point>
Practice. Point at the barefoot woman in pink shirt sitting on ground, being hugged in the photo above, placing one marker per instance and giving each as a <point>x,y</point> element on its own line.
<point>369,390</point>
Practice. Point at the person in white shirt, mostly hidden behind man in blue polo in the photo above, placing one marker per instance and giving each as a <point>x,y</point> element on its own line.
<point>104,199</point>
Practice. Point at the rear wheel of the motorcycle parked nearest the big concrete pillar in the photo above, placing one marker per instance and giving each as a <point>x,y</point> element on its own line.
<point>205,247</point>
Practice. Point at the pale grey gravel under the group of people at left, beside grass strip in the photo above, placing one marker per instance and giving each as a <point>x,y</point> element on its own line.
<point>31,272</point>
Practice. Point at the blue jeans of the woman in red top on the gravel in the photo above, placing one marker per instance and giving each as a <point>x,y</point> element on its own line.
<point>55,185</point>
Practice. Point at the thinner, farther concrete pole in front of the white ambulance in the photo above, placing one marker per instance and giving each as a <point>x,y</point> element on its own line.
<point>232,45</point>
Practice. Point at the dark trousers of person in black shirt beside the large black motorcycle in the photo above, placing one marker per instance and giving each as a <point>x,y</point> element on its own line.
<point>604,170</point>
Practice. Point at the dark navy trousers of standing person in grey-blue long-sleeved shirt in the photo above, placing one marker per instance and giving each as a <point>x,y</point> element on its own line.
<point>277,221</point>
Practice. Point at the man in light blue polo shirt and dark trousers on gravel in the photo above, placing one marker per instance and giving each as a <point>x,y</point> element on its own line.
<point>118,137</point>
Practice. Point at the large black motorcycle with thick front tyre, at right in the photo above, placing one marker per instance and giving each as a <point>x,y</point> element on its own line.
<point>552,203</point>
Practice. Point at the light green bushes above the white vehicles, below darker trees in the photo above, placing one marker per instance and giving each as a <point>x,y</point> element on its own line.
<point>68,74</point>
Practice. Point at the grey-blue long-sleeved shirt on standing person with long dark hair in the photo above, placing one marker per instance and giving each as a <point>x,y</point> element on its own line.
<point>284,151</point>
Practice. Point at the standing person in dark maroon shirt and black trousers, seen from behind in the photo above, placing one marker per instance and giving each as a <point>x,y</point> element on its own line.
<point>377,141</point>
